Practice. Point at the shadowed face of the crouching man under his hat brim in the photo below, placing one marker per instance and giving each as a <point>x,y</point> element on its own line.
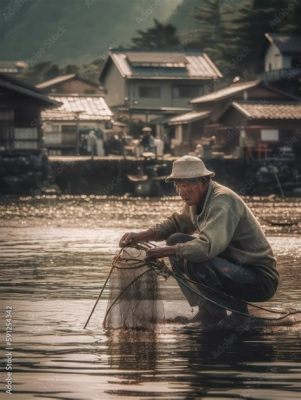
<point>190,192</point>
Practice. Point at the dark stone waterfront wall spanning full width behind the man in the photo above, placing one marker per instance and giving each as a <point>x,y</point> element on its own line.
<point>110,175</point>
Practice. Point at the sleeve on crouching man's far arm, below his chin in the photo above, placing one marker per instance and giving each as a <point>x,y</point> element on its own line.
<point>177,222</point>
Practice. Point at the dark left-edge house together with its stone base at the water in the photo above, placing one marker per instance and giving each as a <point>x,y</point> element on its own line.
<point>23,163</point>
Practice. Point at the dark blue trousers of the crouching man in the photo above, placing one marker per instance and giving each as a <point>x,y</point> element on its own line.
<point>240,281</point>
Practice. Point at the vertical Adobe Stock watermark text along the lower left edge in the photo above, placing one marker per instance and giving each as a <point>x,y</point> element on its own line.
<point>8,349</point>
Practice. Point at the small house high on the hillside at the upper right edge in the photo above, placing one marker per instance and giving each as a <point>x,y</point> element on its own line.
<point>282,62</point>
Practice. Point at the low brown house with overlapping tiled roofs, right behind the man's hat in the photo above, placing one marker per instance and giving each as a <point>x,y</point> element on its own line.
<point>247,115</point>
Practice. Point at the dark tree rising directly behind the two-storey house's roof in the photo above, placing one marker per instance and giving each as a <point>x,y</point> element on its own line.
<point>159,36</point>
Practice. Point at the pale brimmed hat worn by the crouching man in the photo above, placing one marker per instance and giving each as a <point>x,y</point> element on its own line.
<point>188,167</point>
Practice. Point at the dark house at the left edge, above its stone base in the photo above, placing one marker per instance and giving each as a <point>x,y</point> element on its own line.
<point>20,109</point>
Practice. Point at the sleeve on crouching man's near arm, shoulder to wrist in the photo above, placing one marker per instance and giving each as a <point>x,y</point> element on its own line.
<point>215,233</point>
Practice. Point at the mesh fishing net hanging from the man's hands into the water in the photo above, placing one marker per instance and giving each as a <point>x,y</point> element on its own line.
<point>134,300</point>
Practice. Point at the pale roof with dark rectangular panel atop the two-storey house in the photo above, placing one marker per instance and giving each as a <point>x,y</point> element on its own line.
<point>158,65</point>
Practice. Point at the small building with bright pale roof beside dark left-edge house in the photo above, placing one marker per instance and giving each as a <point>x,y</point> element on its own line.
<point>77,115</point>
